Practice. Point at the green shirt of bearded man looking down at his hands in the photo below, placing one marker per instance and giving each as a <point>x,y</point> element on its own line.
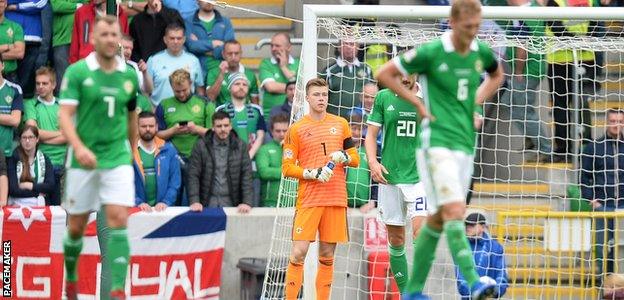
<point>171,111</point>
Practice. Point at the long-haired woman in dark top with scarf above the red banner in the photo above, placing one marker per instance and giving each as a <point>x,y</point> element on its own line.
<point>30,172</point>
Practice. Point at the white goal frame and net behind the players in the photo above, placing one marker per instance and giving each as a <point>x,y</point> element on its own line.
<point>528,169</point>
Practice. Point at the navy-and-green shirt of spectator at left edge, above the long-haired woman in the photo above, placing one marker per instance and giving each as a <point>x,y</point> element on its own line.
<point>10,100</point>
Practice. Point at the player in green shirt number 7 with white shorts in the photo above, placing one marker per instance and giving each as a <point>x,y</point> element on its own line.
<point>99,92</point>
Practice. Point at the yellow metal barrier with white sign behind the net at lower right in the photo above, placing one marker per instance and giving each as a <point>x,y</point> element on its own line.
<point>563,273</point>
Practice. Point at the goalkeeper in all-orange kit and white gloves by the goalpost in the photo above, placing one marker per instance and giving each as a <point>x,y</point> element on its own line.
<point>310,144</point>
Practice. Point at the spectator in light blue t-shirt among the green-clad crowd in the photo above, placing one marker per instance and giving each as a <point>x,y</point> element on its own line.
<point>162,64</point>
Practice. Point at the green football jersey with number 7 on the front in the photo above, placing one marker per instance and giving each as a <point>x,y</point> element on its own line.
<point>103,101</point>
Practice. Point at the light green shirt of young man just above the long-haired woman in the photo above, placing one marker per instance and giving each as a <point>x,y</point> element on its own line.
<point>46,115</point>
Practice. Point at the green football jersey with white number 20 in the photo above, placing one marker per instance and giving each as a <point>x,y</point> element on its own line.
<point>399,121</point>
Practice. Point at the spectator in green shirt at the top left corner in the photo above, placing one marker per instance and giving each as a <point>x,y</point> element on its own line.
<point>12,46</point>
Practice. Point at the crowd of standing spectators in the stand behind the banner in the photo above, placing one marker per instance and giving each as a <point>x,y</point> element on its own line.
<point>210,128</point>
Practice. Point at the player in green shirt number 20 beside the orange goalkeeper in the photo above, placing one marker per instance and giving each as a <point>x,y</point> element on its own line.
<point>402,198</point>
